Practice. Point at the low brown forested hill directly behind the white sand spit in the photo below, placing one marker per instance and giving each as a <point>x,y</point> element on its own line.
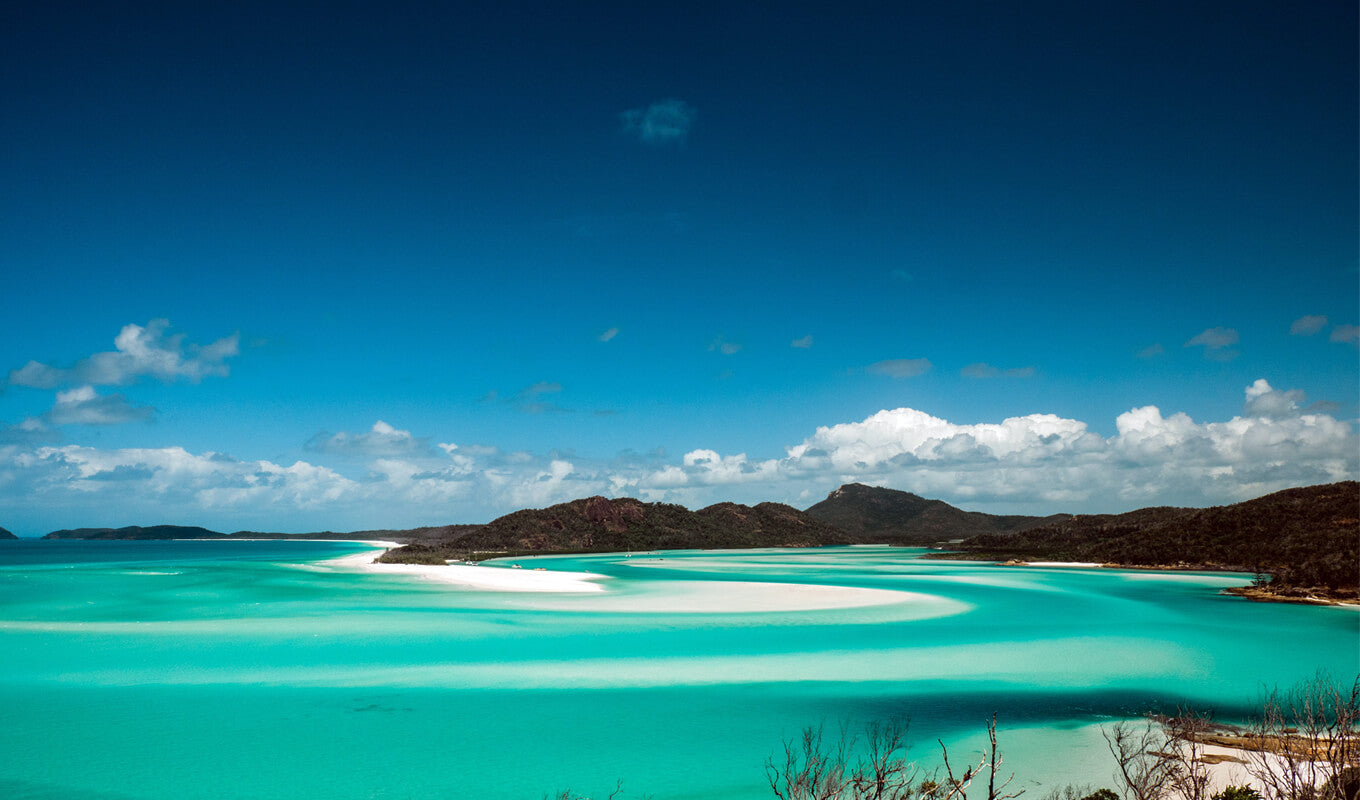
<point>615,526</point>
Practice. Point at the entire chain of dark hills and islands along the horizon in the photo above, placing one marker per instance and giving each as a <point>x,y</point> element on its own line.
<point>1302,544</point>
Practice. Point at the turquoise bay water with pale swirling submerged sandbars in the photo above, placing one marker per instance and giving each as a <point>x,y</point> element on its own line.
<point>254,670</point>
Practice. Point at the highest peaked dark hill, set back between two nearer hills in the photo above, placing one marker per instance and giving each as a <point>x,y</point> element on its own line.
<point>875,515</point>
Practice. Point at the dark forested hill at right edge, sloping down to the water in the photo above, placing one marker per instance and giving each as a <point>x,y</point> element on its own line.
<point>1304,537</point>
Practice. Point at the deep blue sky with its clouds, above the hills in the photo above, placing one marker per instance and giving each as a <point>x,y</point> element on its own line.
<point>346,266</point>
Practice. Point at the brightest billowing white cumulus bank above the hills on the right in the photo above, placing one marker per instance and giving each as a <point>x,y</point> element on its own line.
<point>1049,462</point>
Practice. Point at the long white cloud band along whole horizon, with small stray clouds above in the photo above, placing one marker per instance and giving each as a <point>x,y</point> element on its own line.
<point>387,477</point>
